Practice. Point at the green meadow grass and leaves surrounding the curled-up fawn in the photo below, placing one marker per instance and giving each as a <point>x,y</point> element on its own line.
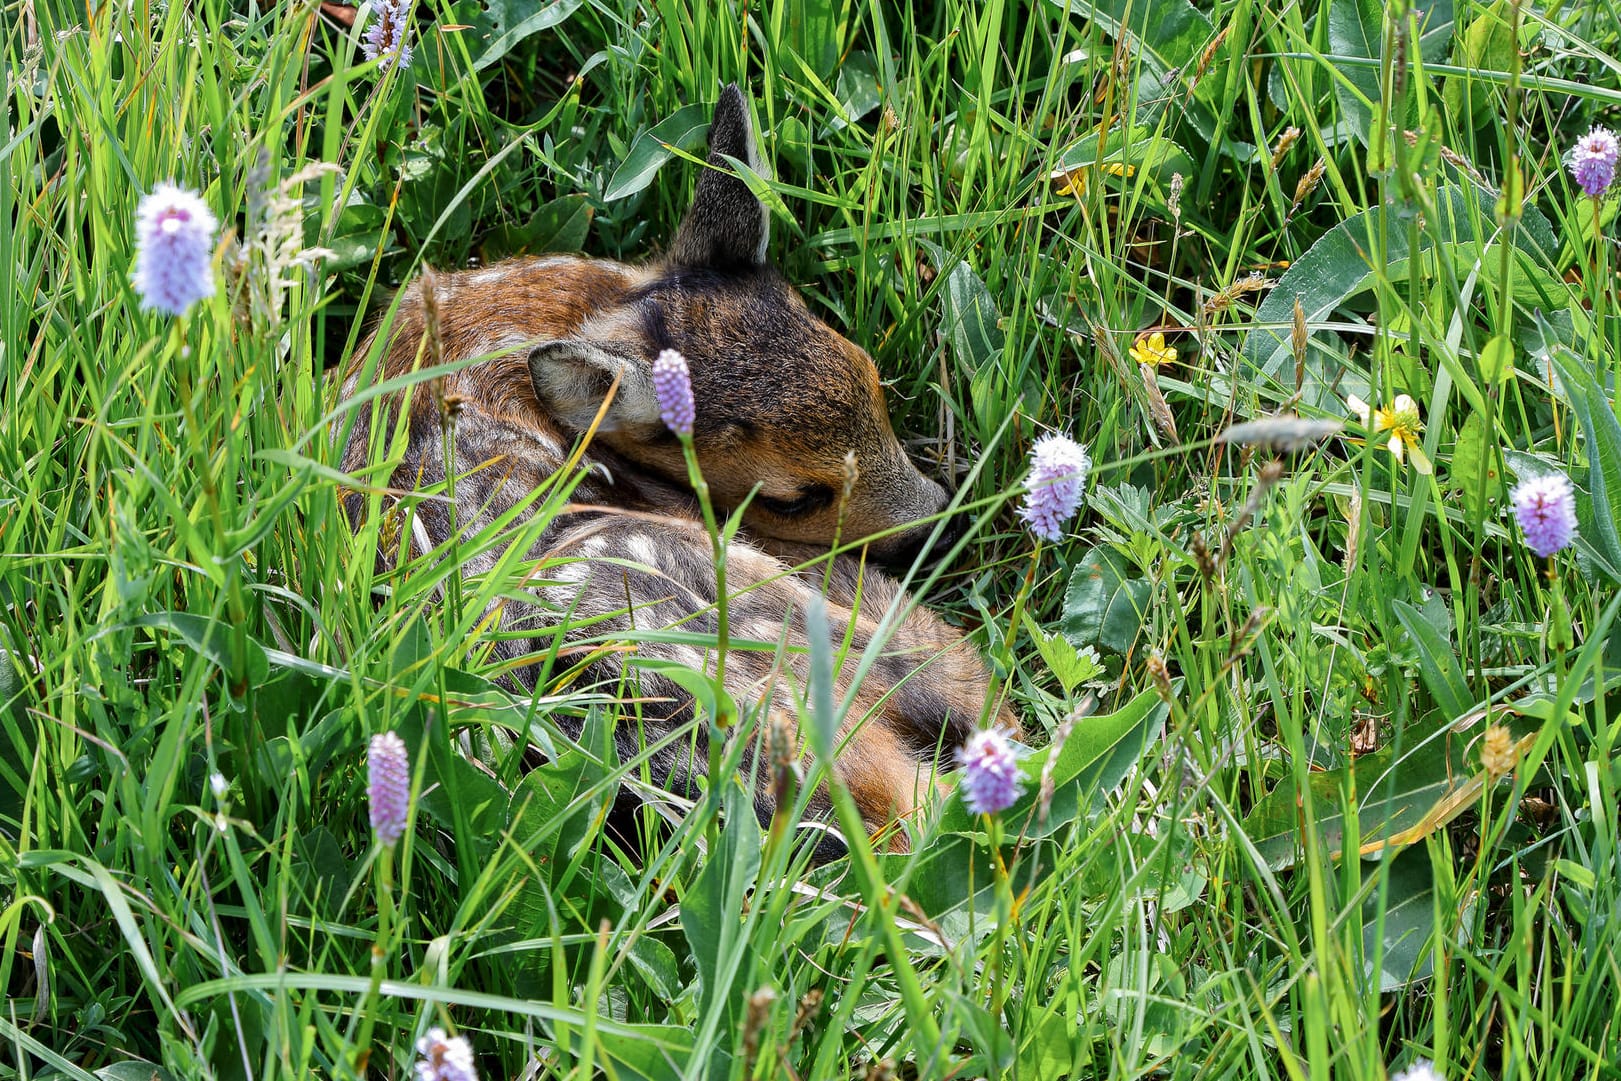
<point>1296,660</point>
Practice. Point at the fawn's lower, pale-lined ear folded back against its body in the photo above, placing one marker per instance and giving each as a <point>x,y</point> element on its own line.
<point>573,378</point>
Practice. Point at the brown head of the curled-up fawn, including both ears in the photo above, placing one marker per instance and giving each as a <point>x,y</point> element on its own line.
<point>782,398</point>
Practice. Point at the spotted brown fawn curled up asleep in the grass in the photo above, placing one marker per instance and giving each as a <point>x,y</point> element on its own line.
<point>782,403</point>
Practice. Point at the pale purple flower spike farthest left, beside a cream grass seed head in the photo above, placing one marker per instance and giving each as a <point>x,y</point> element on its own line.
<point>174,233</point>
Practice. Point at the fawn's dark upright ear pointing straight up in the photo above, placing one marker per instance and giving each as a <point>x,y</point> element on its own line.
<point>727,226</point>
